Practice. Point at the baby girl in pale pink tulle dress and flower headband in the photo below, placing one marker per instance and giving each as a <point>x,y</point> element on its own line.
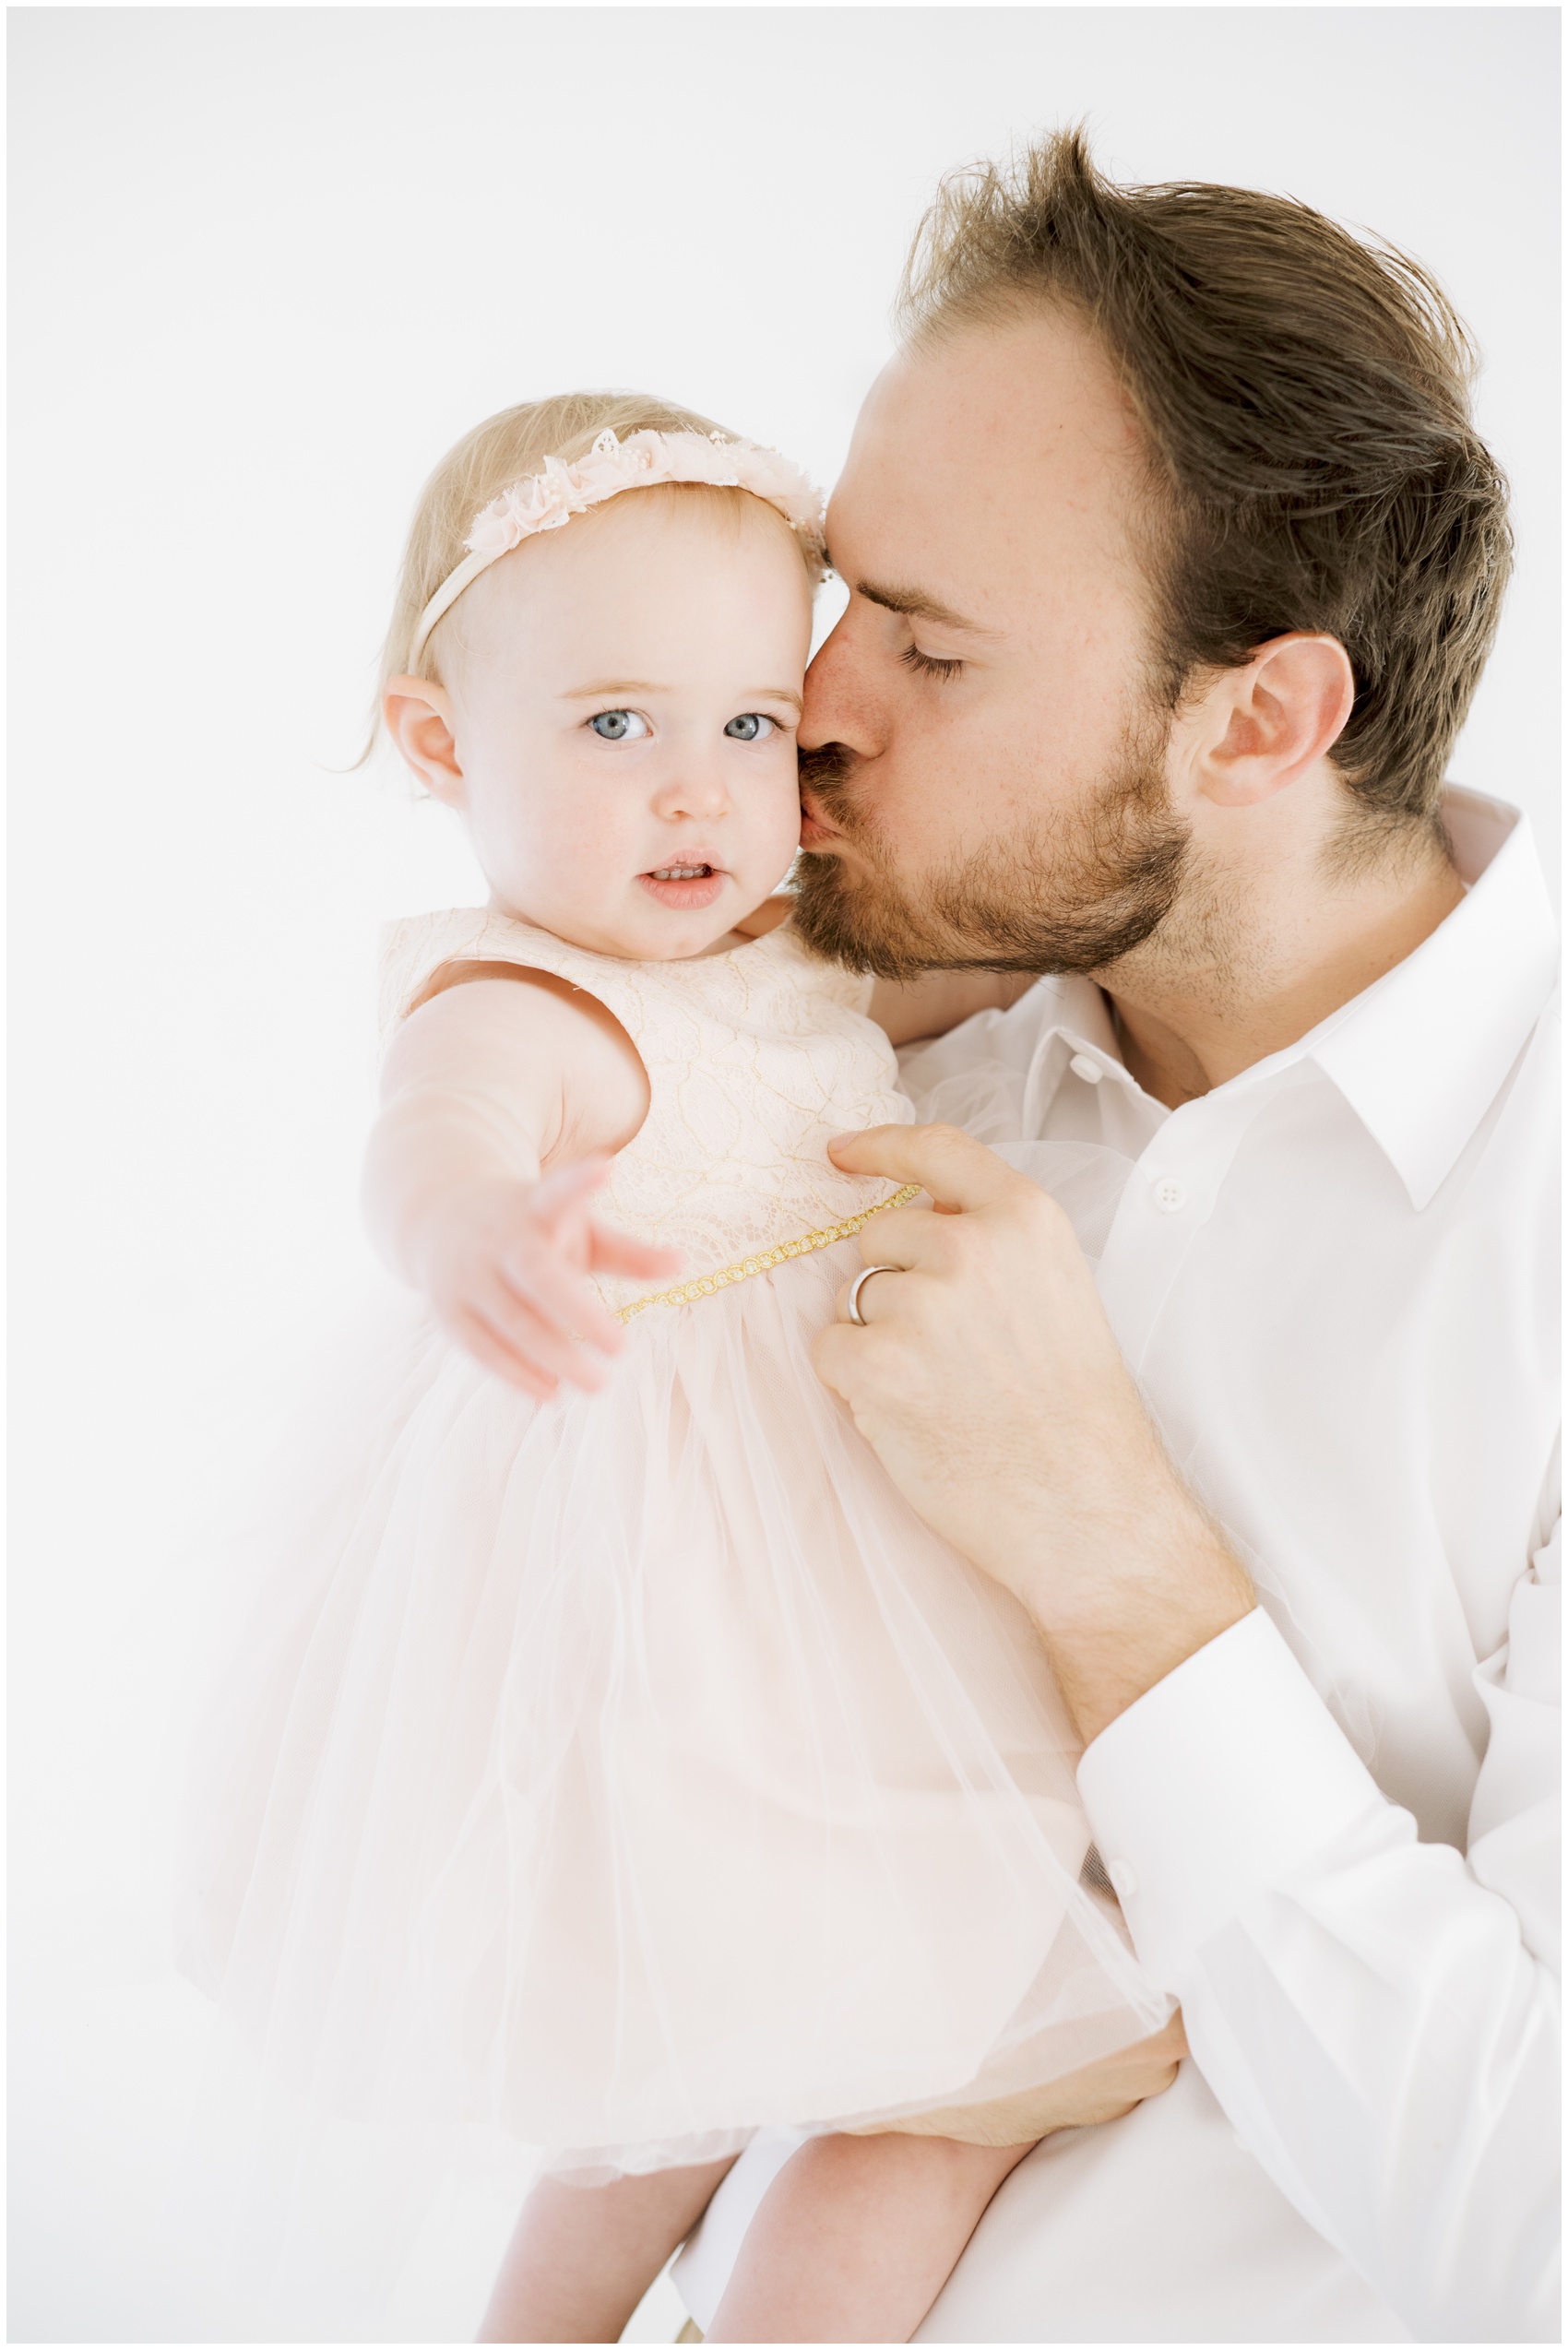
<point>617,1757</point>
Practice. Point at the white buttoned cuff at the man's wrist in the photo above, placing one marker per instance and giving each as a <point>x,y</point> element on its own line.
<point>1217,1785</point>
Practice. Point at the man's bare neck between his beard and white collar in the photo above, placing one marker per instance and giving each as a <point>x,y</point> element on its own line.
<point>1245,969</point>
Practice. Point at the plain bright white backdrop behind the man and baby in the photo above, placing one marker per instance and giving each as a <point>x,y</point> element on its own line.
<point>269,264</point>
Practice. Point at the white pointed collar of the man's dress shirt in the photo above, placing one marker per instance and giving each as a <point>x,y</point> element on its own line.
<point>1419,1054</point>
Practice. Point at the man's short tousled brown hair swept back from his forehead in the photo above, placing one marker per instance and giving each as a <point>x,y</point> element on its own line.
<point>1306,403</point>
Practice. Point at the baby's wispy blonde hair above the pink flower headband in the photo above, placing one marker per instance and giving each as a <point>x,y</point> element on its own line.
<point>497,455</point>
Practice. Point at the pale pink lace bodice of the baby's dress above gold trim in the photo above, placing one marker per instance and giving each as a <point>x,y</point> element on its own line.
<point>756,1061</point>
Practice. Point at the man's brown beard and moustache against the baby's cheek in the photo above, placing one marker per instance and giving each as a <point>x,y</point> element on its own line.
<point>1076,897</point>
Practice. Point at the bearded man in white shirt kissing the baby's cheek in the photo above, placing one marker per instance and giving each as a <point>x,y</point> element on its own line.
<point>1174,563</point>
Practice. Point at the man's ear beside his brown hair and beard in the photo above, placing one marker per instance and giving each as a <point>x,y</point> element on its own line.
<point>1275,718</point>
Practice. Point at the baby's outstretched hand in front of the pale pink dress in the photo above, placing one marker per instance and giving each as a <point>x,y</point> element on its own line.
<point>504,1265</point>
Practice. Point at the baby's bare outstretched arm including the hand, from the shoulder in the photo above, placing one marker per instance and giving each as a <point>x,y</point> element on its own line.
<point>500,1106</point>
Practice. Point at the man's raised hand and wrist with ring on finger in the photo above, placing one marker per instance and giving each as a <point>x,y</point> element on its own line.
<point>996,1395</point>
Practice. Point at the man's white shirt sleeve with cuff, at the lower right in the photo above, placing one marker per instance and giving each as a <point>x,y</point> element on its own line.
<point>1376,2015</point>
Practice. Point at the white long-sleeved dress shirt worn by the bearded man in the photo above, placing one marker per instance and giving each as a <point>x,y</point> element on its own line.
<point>1334,1829</point>
